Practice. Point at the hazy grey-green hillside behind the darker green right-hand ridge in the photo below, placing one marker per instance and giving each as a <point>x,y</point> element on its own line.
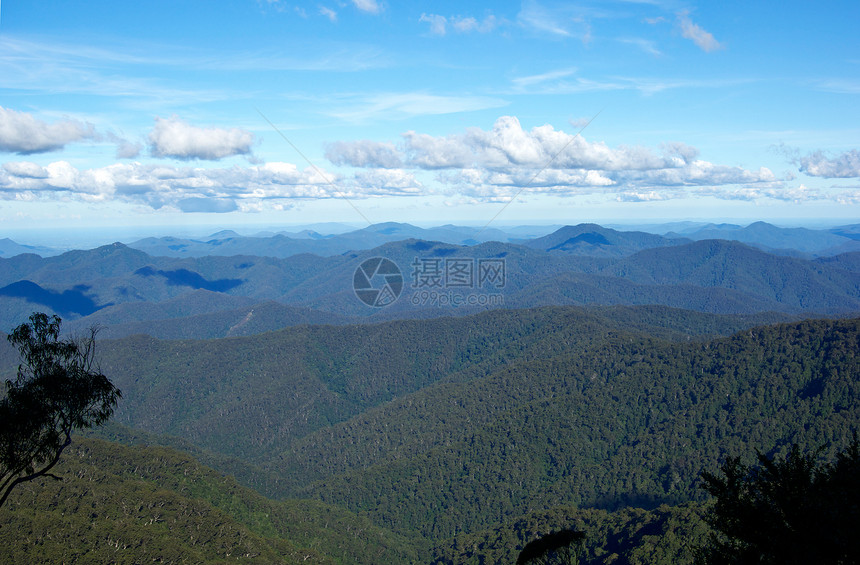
<point>252,396</point>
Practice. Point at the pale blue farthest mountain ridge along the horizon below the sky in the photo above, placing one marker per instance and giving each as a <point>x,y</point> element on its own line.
<point>332,239</point>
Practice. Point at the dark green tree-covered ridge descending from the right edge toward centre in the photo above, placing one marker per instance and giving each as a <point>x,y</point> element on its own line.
<point>628,422</point>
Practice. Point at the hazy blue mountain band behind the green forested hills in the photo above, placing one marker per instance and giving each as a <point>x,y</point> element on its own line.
<point>128,291</point>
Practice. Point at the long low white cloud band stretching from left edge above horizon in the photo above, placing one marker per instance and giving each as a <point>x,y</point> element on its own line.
<point>196,189</point>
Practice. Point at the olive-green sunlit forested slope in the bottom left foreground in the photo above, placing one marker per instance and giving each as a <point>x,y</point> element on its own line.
<point>120,505</point>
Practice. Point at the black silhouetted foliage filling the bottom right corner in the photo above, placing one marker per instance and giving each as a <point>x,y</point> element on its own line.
<point>785,511</point>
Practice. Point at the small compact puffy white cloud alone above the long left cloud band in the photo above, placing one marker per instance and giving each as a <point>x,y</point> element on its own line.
<point>173,137</point>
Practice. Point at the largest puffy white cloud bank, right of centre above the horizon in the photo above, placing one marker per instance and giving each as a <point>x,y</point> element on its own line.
<point>499,162</point>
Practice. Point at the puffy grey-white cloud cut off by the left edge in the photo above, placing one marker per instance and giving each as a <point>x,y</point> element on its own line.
<point>22,133</point>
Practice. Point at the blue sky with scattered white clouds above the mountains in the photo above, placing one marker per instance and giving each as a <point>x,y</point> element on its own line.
<point>264,113</point>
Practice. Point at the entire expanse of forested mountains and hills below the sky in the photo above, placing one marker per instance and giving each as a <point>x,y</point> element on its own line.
<point>266,406</point>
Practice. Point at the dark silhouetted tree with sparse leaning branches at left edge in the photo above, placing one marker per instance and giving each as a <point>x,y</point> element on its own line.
<point>58,389</point>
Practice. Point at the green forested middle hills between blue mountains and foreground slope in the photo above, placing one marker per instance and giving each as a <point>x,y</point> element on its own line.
<point>442,431</point>
